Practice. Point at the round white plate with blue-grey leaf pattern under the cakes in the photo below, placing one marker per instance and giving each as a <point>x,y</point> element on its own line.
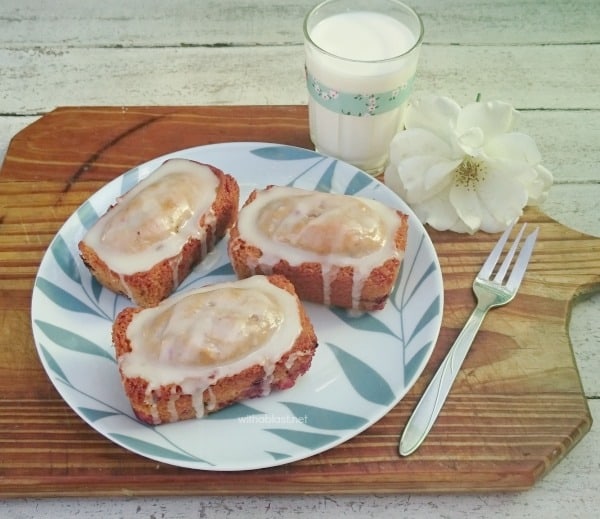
<point>363,366</point>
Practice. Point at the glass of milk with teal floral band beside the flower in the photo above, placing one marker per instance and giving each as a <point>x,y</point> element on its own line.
<point>361,58</point>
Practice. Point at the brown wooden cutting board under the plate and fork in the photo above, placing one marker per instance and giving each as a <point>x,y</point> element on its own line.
<point>516,409</point>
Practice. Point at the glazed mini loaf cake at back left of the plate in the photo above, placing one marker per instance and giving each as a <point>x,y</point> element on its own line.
<point>149,241</point>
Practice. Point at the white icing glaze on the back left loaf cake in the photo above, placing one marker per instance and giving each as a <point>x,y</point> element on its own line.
<point>153,220</point>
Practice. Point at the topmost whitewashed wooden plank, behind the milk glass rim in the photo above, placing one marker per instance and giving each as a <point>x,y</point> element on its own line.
<point>153,23</point>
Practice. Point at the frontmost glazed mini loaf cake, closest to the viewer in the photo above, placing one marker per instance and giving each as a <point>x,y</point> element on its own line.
<point>201,350</point>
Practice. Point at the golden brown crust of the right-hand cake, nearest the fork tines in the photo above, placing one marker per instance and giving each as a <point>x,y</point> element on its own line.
<point>308,277</point>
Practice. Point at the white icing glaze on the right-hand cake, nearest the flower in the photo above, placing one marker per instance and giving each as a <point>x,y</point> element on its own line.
<point>334,230</point>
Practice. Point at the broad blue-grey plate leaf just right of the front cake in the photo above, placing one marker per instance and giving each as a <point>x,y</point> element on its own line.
<point>364,379</point>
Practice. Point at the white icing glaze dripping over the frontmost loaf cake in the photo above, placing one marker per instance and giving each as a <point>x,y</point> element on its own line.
<point>197,337</point>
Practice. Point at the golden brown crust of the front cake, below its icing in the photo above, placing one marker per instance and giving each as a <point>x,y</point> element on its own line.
<point>158,406</point>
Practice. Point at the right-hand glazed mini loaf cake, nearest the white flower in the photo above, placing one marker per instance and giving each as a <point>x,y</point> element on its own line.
<point>336,249</point>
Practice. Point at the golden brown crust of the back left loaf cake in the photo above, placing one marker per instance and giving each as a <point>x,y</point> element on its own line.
<point>150,287</point>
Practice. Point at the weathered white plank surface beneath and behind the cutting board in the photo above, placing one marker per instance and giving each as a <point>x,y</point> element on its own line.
<point>543,56</point>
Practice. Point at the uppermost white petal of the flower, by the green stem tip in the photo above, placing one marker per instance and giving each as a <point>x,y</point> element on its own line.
<point>493,117</point>
